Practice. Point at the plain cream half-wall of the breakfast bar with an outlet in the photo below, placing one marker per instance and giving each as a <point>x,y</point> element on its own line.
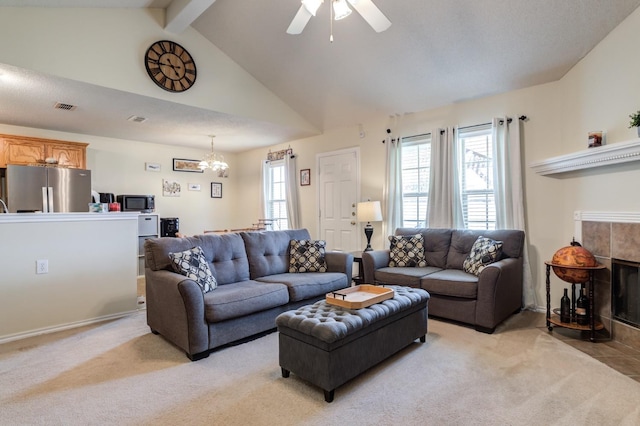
<point>61,270</point>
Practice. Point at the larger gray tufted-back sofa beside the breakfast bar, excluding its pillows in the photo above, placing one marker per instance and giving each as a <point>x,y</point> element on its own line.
<point>254,286</point>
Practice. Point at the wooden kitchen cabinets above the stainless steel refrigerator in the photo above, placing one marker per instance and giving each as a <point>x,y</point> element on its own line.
<point>26,150</point>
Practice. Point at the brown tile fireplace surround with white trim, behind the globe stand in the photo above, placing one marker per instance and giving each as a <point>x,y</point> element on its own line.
<point>610,235</point>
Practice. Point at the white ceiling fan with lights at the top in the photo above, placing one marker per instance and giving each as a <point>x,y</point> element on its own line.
<point>365,8</point>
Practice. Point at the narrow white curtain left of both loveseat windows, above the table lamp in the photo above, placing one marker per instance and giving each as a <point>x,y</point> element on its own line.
<point>393,187</point>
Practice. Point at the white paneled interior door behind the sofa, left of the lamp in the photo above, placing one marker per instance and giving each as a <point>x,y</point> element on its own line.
<point>338,180</point>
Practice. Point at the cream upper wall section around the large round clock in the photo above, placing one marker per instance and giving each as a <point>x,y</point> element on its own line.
<point>105,47</point>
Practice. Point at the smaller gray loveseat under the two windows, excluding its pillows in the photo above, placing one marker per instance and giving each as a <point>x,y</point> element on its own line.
<point>483,301</point>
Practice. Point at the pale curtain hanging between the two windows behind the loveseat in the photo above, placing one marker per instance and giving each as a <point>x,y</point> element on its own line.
<point>445,205</point>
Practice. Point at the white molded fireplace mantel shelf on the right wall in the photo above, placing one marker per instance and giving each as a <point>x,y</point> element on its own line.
<point>616,153</point>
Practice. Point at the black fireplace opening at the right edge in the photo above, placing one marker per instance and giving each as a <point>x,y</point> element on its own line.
<point>625,291</point>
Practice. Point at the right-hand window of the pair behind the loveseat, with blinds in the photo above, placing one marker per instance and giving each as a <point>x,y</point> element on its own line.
<point>476,177</point>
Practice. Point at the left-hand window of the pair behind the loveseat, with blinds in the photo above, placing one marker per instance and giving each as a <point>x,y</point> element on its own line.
<point>416,167</point>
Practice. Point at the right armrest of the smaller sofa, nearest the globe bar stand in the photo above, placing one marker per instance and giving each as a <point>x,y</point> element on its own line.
<point>499,292</point>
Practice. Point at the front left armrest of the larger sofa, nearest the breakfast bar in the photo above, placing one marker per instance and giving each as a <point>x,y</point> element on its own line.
<point>175,309</point>
